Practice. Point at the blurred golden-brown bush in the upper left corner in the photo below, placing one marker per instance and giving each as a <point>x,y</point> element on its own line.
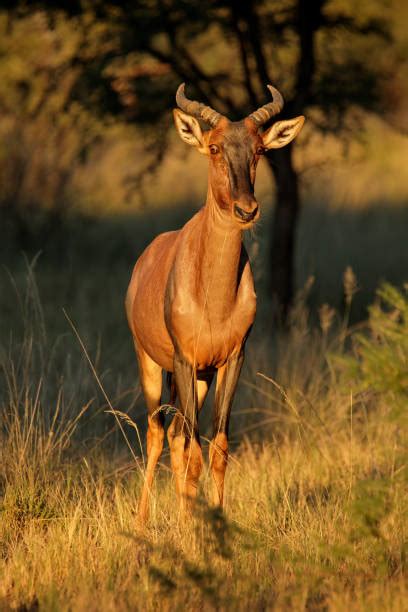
<point>47,125</point>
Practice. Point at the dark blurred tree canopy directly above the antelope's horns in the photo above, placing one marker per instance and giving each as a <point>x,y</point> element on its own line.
<point>325,56</point>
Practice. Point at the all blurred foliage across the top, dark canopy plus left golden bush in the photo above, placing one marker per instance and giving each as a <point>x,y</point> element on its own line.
<point>66,71</point>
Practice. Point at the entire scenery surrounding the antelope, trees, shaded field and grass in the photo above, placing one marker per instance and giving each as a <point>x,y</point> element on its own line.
<point>91,170</point>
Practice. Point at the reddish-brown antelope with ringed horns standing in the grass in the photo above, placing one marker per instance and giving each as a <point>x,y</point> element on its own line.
<point>191,301</point>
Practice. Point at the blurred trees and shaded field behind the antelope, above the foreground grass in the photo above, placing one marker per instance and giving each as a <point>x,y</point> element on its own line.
<point>91,168</point>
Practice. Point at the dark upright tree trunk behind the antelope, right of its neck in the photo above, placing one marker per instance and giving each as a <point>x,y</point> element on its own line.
<point>282,251</point>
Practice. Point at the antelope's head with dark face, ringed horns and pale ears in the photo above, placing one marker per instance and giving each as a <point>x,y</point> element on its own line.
<point>234,149</point>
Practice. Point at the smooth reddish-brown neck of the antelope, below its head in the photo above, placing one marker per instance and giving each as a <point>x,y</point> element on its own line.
<point>218,257</point>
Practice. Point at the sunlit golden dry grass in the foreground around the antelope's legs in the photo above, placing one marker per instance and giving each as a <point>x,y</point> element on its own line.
<point>316,502</point>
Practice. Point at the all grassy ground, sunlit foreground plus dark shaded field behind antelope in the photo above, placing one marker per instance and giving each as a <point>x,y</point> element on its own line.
<point>316,505</point>
